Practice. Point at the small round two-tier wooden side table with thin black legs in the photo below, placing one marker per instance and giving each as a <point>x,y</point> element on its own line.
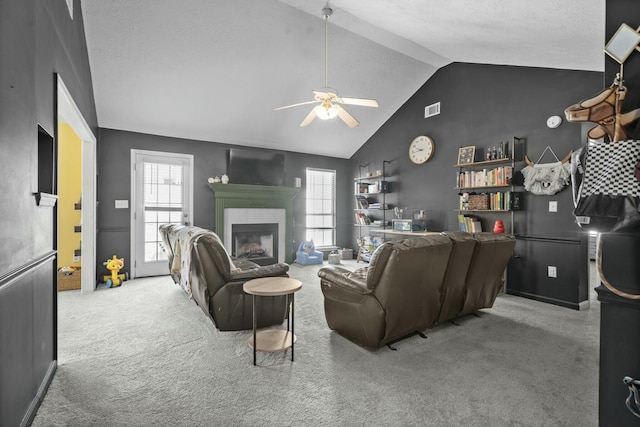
<point>271,340</point>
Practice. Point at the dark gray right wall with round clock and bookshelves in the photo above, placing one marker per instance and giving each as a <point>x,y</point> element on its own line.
<point>482,105</point>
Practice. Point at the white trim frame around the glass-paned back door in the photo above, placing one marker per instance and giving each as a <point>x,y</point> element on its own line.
<point>133,205</point>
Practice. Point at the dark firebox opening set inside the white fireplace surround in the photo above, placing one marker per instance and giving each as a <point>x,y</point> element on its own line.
<point>256,242</point>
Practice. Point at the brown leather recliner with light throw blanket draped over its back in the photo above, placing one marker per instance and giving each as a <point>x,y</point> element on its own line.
<point>200,264</point>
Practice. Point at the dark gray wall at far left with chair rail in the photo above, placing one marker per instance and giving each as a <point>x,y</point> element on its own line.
<point>37,40</point>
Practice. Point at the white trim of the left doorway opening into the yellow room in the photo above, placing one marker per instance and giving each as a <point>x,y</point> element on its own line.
<point>68,112</point>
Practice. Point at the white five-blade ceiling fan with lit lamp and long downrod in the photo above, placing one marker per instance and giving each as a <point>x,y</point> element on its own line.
<point>327,97</point>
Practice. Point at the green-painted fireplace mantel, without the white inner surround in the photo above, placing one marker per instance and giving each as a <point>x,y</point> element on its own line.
<point>259,197</point>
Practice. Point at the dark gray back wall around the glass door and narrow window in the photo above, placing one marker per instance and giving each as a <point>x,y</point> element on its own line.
<point>114,183</point>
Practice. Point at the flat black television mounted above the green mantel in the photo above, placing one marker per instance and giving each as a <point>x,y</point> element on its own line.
<point>256,167</point>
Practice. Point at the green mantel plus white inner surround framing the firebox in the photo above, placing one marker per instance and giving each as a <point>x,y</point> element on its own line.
<point>259,199</point>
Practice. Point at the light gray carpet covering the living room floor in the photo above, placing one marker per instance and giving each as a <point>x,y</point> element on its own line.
<point>144,354</point>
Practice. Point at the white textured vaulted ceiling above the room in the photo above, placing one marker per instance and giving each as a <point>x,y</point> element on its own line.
<point>214,70</point>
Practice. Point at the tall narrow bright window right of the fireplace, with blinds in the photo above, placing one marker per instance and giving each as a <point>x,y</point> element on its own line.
<point>321,207</point>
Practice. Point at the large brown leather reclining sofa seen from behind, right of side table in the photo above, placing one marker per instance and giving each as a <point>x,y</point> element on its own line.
<point>414,284</point>
